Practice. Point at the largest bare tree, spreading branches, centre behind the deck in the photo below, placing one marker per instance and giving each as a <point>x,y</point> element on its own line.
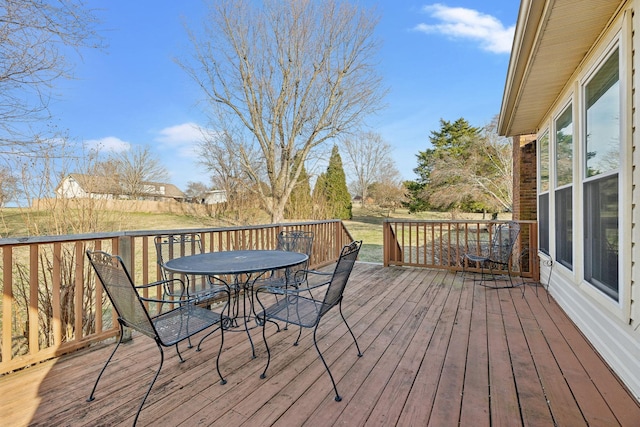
<point>291,74</point>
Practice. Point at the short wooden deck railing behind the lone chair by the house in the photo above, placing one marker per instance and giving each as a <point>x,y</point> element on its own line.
<point>442,244</point>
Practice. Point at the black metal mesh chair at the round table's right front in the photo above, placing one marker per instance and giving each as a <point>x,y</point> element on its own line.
<point>299,307</point>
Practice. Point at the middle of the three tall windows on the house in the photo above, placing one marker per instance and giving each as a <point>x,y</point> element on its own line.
<point>564,193</point>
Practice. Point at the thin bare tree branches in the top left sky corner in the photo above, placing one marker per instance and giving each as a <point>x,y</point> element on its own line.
<point>35,39</point>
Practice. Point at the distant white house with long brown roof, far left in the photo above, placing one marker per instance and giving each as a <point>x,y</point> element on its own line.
<point>100,187</point>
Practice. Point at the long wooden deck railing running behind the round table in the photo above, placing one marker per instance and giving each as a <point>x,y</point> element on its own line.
<point>51,305</point>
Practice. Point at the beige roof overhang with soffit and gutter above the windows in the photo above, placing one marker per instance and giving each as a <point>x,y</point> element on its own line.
<point>551,40</point>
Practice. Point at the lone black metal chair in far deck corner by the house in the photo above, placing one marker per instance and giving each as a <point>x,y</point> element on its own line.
<point>495,256</point>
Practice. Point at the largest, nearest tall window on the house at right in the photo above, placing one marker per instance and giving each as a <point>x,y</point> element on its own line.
<point>602,160</point>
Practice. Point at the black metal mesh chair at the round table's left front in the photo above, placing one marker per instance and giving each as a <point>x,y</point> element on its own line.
<point>167,328</point>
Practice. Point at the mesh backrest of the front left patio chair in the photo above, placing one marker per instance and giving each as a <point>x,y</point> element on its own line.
<point>120,289</point>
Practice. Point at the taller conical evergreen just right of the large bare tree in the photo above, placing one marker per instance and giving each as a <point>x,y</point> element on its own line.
<point>331,195</point>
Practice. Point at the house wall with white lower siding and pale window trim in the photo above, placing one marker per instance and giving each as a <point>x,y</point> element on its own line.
<point>613,327</point>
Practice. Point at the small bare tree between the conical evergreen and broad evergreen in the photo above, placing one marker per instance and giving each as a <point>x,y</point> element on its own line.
<point>369,161</point>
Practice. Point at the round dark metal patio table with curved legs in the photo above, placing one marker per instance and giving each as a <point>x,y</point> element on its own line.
<point>247,264</point>
